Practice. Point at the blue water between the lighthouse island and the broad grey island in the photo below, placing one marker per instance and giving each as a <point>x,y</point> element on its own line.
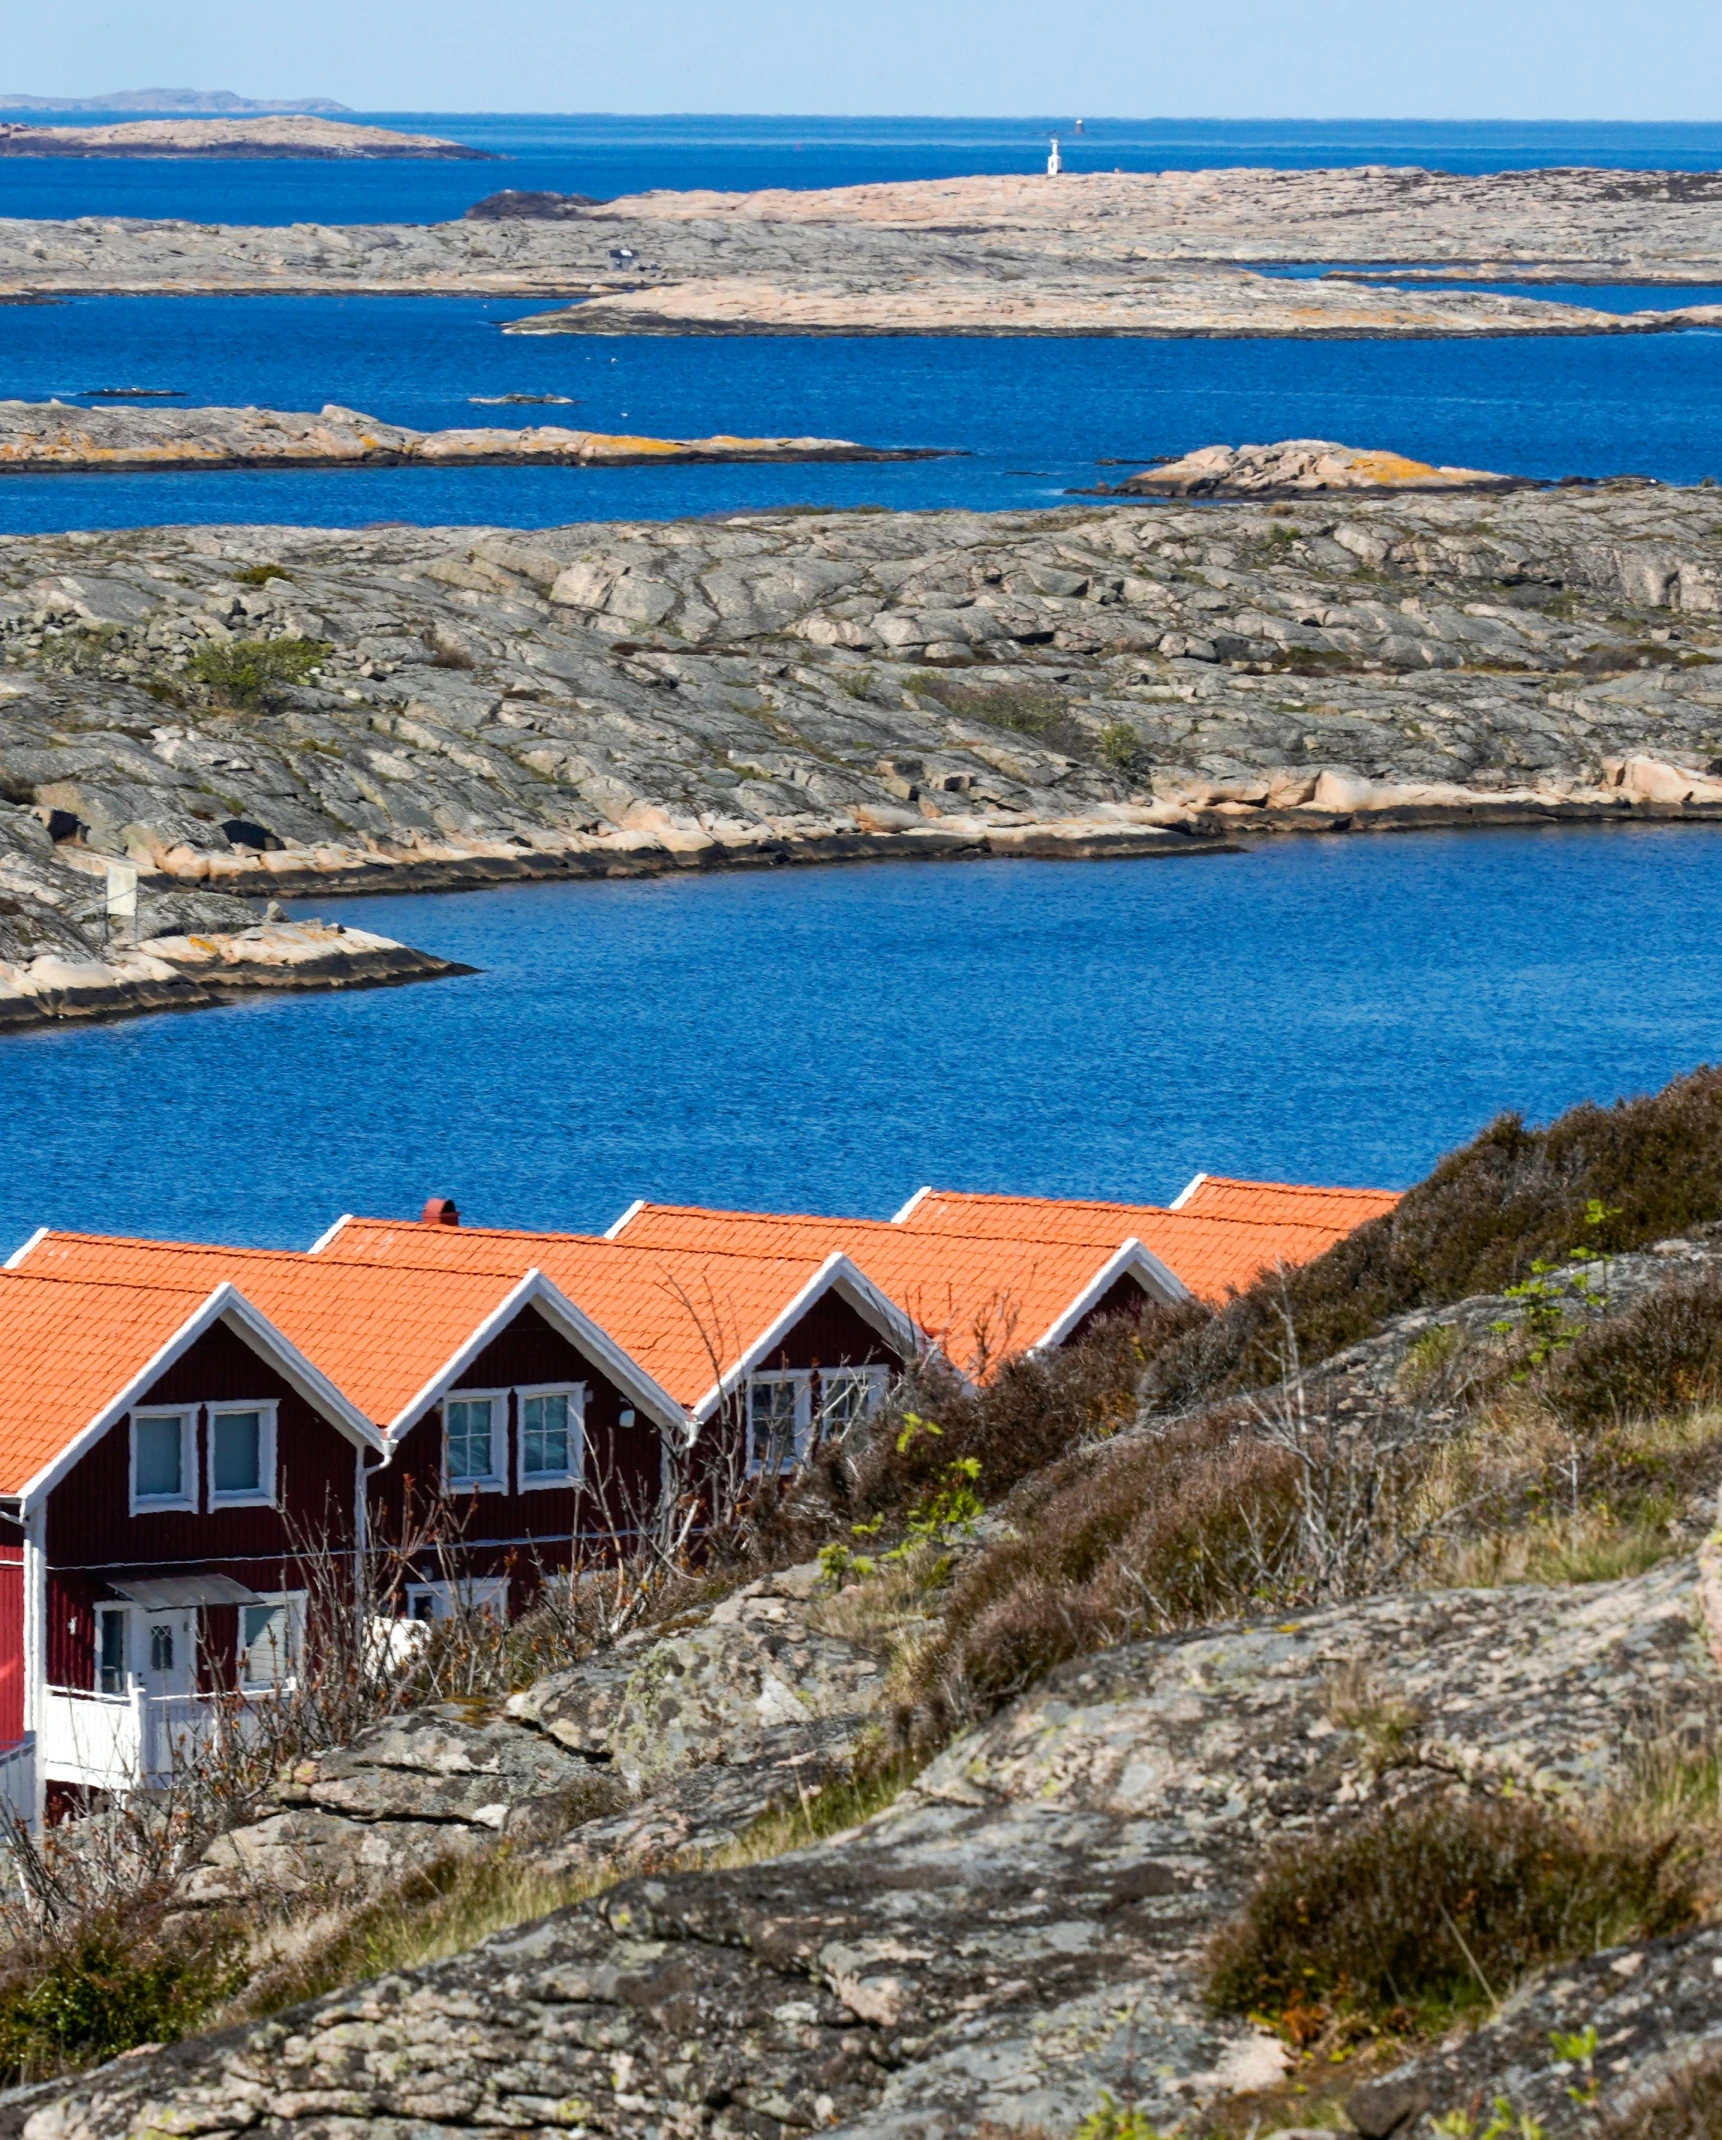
<point>1030,418</point>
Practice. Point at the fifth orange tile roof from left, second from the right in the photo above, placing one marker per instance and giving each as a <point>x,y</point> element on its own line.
<point>1214,1255</point>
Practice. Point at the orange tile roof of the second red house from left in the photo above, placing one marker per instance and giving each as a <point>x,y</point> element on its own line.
<point>378,1332</point>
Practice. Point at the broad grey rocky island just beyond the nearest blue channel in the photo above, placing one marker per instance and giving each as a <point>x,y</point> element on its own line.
<point>256,714</point>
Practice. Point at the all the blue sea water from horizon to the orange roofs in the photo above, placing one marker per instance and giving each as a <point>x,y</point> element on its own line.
<point>831,1039</point>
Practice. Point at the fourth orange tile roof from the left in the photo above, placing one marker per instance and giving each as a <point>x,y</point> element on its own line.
<point>979,1298</point>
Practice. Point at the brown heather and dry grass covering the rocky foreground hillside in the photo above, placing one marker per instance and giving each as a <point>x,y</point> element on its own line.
<point>1550,1413</point>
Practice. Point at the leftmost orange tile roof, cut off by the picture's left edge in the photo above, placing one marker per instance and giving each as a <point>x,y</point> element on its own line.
<point>67,1351</point>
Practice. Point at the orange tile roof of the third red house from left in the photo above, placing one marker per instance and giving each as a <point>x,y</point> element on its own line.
<point>686,1315</point>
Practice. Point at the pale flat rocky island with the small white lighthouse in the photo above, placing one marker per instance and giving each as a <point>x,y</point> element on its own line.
<point>1160,254</point>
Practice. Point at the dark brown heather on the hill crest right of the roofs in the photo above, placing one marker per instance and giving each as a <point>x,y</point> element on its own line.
<point>1479,1223</point>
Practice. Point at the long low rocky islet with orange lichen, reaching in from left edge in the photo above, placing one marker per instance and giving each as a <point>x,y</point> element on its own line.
<point>65,438</point>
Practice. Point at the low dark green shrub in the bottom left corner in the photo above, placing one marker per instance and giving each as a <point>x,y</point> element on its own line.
<point>106,1991</point>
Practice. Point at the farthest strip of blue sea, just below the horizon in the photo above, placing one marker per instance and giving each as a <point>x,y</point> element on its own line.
<point>609,155</point>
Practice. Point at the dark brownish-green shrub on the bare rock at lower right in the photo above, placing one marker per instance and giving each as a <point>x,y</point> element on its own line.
<point>1417,1914</point>
